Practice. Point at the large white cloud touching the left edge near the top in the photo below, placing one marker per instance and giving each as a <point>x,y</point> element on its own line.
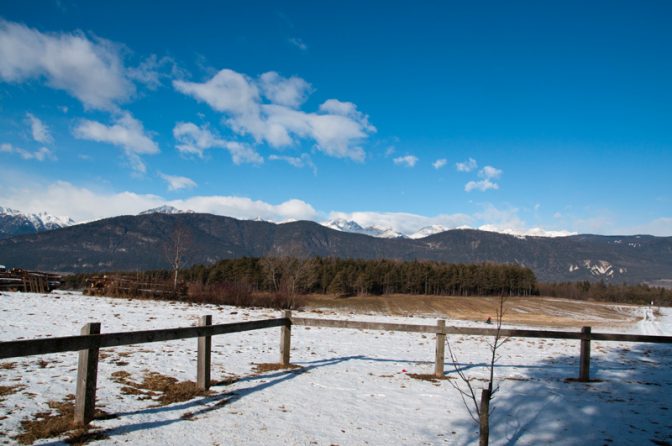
<point>91,71</point>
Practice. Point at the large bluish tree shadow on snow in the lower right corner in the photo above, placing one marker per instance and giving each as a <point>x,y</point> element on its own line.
<point>630,401</point>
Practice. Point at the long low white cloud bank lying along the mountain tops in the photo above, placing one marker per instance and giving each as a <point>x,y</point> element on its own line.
<point>83,204</point>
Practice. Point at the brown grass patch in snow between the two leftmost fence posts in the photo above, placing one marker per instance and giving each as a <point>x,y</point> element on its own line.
<point>157,387</point>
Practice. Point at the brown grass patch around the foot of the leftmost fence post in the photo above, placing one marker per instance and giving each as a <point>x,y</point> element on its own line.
<point>57,422</point>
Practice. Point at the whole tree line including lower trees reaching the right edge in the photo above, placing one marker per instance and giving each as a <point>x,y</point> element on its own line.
<point>241,279</point>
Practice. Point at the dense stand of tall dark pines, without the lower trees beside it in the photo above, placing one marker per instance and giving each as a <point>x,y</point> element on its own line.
<point>349,277</point>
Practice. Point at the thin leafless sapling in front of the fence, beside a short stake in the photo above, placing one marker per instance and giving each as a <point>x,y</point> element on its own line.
<point>479,408</point>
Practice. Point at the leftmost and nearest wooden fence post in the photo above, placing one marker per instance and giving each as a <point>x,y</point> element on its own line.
<point>87,374</point>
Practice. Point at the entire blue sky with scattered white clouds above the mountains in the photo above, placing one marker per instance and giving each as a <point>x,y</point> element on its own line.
<point>520,116</point>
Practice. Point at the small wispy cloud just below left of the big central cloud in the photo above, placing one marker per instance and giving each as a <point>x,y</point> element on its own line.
<point>195,140</point>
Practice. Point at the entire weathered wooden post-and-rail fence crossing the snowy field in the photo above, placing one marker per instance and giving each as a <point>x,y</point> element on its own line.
<point>91,340</point>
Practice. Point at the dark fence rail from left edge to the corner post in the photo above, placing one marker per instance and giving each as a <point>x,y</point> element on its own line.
<point>14,349</point>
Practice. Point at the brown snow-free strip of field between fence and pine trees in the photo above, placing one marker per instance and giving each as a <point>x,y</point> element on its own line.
<point>534,311</point>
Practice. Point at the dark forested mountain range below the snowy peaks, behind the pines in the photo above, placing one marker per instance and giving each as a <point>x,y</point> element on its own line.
<point>140,242</point>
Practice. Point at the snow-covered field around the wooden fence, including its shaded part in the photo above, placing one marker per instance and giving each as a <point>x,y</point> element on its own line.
<point>354,386</point>
